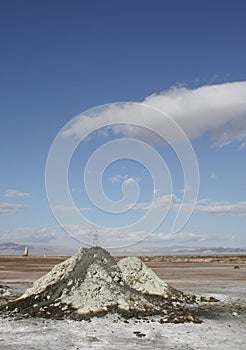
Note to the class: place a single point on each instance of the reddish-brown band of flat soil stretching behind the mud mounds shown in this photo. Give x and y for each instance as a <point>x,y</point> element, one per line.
<point>14,269</point>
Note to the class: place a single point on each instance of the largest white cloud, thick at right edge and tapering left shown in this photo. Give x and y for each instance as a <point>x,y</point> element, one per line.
<point>219,109</point>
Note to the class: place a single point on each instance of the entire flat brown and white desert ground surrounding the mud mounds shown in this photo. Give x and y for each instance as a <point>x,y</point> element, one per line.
<point>223,324</point>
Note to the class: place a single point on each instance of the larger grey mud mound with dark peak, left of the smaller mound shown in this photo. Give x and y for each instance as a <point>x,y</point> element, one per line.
<point>90,283</point>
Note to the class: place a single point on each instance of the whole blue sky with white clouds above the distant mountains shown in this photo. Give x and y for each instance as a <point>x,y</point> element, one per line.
<point>170,78</point>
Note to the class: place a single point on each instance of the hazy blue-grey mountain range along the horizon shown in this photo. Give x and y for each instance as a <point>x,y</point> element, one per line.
<point>18,249</point>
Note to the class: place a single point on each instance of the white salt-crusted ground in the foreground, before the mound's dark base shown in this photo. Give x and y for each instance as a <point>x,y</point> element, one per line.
<point>111,333</point>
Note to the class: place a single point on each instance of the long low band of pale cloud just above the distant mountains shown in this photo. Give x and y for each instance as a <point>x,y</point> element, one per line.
<point>113,238</point>
